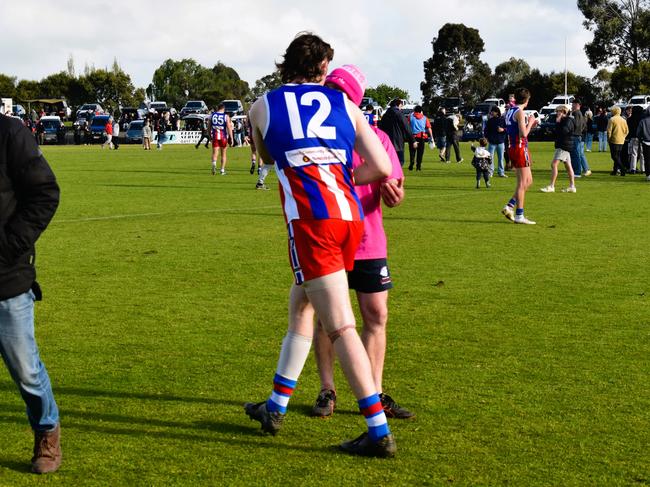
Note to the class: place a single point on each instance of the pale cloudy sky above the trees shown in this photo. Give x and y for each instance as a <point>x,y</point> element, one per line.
<point>389,40</point>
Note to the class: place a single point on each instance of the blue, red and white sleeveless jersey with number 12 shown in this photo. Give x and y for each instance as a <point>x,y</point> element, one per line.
<point>310,134</point>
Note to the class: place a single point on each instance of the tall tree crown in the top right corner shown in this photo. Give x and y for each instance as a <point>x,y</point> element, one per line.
<point>621,31</point>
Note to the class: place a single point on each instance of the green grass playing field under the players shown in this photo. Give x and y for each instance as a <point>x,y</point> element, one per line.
<point>524,350</point>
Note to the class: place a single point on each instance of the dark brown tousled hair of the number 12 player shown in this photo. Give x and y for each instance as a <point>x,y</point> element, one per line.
<point>303,57</point>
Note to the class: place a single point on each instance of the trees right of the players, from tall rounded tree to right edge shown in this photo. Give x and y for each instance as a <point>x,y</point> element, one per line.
<point>620,50</point>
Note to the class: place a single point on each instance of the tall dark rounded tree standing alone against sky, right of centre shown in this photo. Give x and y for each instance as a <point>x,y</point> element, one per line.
<point>455,68</point>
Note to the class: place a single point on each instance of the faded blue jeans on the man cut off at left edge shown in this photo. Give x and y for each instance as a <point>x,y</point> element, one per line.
<point>20,354</point>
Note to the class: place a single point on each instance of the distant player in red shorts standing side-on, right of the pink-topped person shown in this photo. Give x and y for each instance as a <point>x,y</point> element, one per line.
<point>518,126</point>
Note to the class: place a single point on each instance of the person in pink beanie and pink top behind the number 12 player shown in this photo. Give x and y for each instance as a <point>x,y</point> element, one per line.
<point>370,277</point>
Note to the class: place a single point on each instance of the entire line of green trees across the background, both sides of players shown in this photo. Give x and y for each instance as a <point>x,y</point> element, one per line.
<point>620,48</point>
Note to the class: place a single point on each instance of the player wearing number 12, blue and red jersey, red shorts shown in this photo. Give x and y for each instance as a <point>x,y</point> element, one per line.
<point>310,132</point>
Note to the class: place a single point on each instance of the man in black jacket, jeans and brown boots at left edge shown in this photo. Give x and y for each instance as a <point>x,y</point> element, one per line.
<point>29,196</point>
